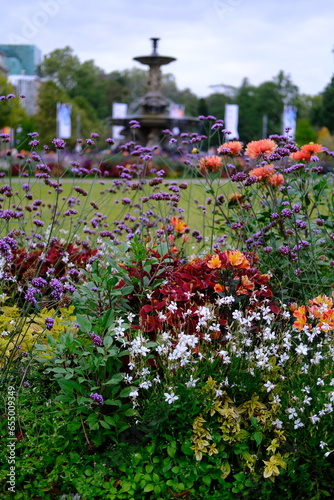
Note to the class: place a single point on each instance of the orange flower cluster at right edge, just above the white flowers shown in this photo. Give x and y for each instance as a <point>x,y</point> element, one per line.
<point>319,309</point>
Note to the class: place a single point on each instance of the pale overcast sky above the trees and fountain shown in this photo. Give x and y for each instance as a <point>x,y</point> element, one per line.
<point>214,41</point>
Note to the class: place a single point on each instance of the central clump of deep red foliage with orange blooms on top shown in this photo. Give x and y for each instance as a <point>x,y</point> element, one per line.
<point>200,283</point>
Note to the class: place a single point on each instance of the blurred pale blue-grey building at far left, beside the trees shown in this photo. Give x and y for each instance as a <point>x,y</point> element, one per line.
<point>22,62</point>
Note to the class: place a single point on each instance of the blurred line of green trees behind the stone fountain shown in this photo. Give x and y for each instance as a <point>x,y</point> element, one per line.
<point>92,91</point>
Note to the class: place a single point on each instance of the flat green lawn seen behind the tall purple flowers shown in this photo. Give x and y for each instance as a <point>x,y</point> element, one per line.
<point>110,205</point>
